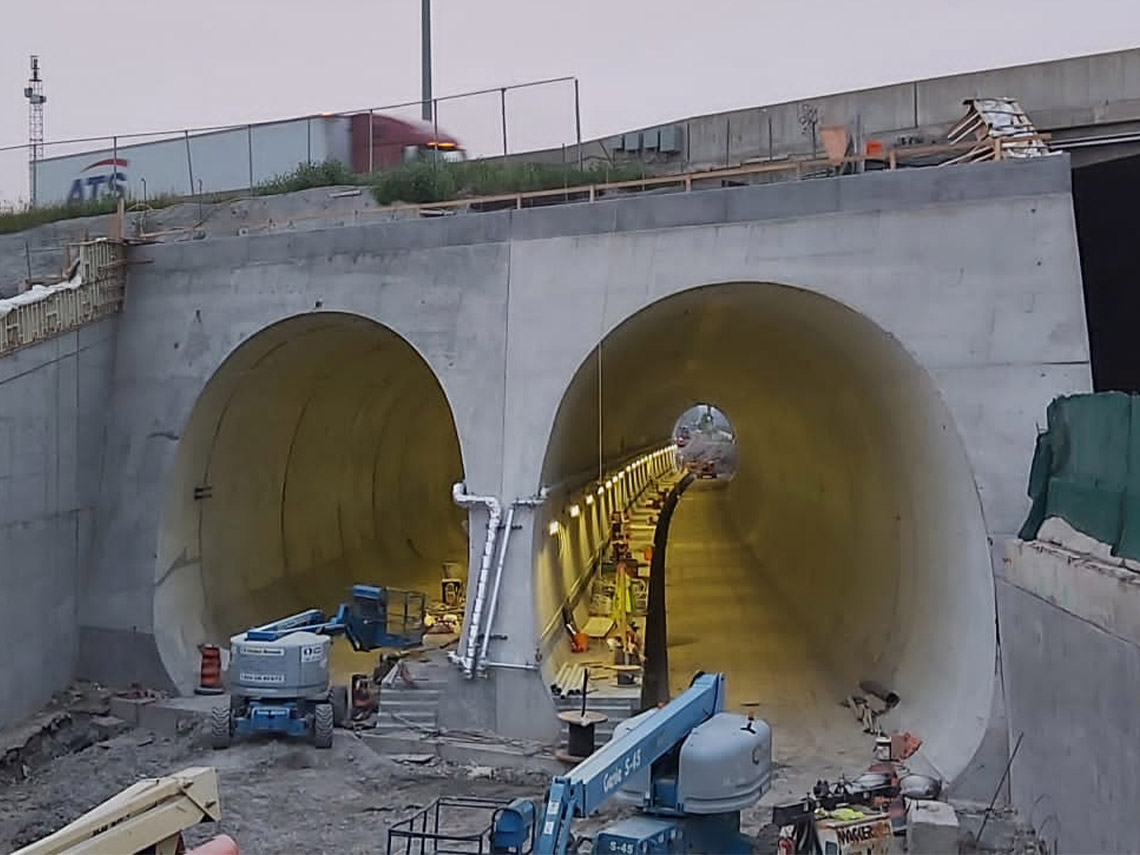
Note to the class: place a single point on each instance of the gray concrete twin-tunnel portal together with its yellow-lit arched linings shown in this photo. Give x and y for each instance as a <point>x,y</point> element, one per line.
<point>938,312</point>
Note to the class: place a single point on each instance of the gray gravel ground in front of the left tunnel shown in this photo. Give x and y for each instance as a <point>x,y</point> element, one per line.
<point>276,796</point>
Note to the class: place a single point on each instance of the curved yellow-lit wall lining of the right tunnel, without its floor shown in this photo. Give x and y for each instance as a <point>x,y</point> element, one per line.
<point>852,491</point>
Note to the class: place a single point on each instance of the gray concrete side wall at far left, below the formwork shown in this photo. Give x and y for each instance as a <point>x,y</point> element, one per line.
<point>53,411</point>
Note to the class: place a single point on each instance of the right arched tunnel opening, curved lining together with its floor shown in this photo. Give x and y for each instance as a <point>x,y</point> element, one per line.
<point>850,544</point>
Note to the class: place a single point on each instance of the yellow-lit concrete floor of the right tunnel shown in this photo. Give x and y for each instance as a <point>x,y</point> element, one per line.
<point>723,617</point>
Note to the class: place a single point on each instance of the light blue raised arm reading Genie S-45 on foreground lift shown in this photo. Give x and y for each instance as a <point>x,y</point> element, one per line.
<point>597,779</point>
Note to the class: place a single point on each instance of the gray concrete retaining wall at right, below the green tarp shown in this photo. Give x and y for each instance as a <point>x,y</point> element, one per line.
<point>1071,654</point>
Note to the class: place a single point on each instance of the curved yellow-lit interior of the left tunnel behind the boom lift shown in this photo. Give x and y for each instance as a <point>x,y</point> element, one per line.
<point>321,454</point>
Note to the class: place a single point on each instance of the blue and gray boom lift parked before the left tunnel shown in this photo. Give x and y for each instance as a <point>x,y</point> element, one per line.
<point>279,677</point>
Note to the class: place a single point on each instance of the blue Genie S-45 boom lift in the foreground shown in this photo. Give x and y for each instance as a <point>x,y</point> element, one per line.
<point>690,768</point>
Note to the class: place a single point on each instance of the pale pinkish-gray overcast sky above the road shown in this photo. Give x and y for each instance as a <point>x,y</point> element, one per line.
<point>144,66</point>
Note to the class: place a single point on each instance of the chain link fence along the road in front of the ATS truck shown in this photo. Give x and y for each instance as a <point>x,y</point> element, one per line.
<point>345,148</point>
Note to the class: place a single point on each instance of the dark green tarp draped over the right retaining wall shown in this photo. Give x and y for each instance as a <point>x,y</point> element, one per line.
<point>1087,470</point>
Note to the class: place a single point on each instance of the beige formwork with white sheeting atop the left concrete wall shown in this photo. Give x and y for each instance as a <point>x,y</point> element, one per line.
<point>94,290</point>
